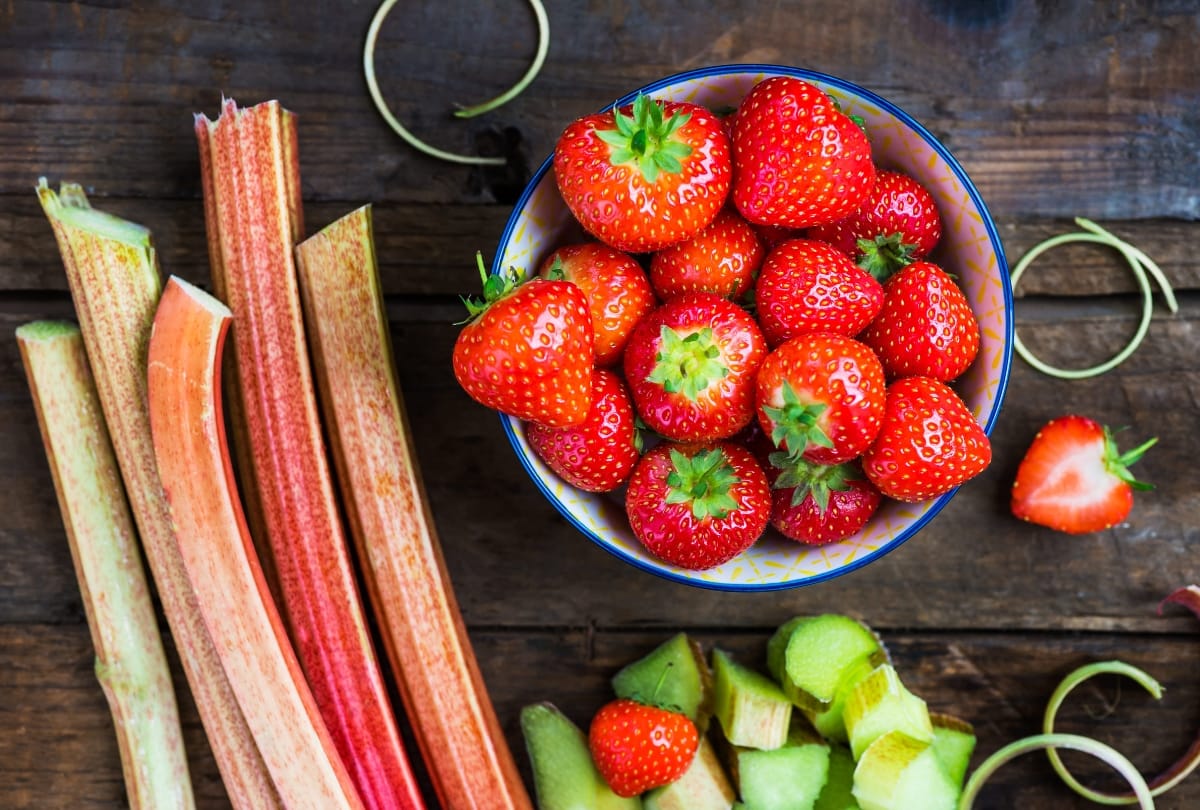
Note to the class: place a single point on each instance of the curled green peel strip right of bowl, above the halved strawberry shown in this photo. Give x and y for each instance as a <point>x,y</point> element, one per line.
<point>1139,263</point>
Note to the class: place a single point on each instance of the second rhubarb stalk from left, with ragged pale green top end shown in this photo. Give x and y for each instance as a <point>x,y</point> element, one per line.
<point>113,274</point>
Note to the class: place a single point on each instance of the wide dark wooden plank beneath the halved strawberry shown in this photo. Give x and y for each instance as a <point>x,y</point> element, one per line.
<point>515,562</point>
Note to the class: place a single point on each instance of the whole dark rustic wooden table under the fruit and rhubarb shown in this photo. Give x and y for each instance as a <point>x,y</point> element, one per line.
<point>1055,110</point>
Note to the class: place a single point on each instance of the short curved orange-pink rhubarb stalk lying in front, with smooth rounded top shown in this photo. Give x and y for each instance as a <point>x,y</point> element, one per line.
<point>188,427</point>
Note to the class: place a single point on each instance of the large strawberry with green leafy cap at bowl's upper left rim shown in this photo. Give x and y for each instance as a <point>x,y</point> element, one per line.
<point>647,176</point>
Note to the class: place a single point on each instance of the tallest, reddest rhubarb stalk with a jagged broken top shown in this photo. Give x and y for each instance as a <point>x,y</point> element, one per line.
<point>251,184</point>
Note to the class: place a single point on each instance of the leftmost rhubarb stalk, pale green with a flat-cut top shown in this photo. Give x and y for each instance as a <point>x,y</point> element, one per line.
<point>131,664</point>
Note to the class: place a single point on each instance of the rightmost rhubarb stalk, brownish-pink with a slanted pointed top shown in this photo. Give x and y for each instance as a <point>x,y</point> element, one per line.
<point>389,517</point>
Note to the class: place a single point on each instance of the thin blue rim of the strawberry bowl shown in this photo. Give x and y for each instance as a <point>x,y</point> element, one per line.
<point>511,424</point>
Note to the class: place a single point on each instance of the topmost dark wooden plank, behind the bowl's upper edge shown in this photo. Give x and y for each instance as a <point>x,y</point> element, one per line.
<point>1054,112</point>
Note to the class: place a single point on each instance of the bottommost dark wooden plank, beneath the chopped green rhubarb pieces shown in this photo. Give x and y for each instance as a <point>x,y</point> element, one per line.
<point>998,682</point>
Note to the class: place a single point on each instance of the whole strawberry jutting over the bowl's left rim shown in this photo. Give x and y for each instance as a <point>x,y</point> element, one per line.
<point>527,350</point>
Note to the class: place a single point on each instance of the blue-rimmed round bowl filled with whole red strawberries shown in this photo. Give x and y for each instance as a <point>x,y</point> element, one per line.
<point>748,328</point>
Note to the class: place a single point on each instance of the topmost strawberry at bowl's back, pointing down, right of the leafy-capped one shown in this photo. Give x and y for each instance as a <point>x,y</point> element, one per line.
<point>799,160</point>
